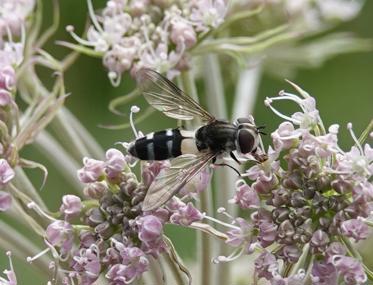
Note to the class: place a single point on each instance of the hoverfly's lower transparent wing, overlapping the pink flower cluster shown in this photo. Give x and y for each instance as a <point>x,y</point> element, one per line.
<point>167,184</point>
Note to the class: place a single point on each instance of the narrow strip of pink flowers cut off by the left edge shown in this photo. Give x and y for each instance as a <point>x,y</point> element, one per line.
<point>12,23</point>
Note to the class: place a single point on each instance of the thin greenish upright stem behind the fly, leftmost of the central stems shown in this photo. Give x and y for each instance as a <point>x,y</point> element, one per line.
<point>204,242</point>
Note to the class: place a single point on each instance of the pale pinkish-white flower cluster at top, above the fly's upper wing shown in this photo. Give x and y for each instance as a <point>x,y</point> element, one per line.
<point>156,34</point>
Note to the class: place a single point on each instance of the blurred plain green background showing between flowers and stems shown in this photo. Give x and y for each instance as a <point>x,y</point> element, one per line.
<point>343,87</point>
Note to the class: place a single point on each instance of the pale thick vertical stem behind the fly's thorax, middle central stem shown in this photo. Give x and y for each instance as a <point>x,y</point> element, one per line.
<point>224,177</point>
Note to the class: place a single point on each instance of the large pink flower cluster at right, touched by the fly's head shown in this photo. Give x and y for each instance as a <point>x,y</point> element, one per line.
<point>310,198</point>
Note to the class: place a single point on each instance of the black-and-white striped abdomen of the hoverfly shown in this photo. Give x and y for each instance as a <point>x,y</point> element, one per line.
<point>163,145</point>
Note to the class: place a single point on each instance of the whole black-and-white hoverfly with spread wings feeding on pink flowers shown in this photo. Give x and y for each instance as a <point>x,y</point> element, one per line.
<point>191,151</point>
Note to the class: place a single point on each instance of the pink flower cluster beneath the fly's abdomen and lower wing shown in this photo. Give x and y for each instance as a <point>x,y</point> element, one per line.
<point>115,236</point>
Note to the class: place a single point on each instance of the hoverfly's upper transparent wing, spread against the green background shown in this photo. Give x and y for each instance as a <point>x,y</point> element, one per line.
<point>166,97</point>
